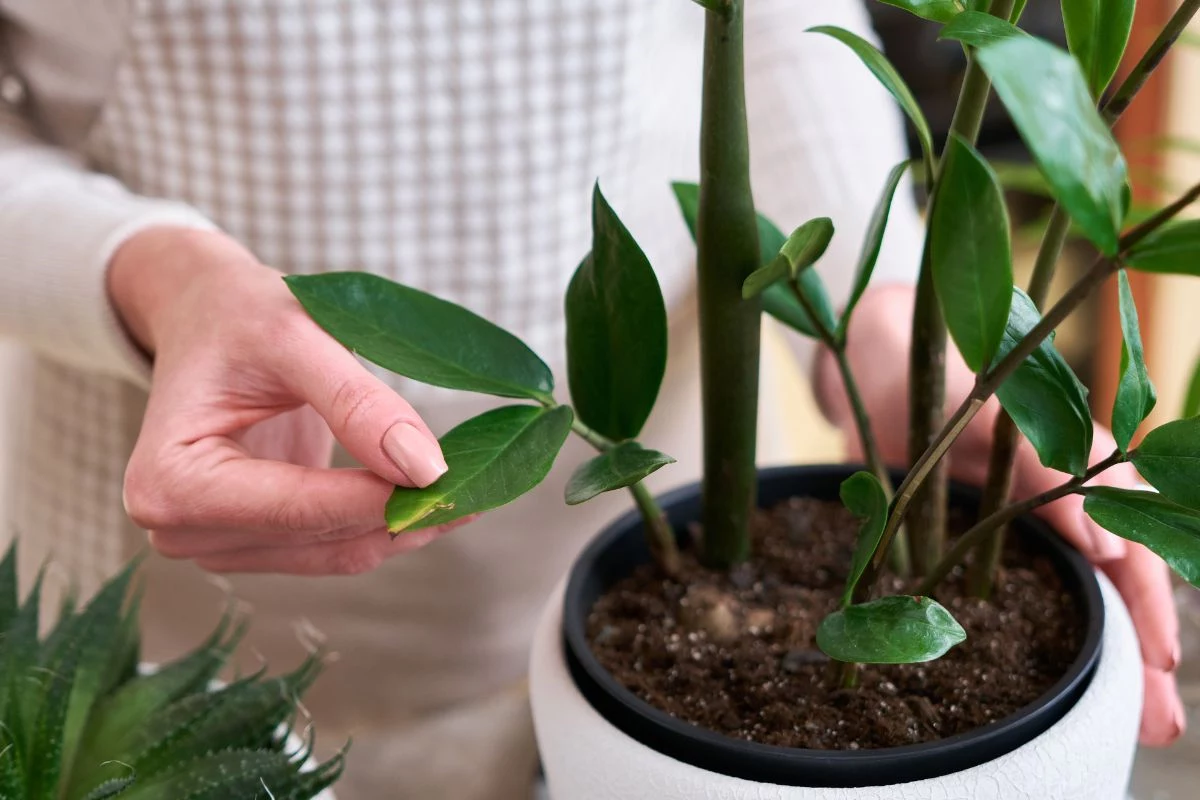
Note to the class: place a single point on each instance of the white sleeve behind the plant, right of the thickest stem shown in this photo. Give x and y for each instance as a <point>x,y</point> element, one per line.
<point>821,121</point>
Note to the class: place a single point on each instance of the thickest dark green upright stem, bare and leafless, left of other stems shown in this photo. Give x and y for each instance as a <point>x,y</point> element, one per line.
<point>728,251</point>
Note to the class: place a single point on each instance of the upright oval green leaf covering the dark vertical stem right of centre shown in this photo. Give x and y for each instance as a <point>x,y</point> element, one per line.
<point>971,254</point>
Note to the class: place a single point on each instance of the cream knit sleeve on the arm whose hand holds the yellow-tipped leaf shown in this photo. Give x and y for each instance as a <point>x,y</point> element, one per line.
<point>59,226</point>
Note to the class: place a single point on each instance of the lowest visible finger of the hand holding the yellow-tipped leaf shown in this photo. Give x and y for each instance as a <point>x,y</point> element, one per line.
<point>356,556</point>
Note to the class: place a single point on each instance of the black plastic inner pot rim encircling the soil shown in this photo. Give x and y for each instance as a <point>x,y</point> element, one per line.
<point>817,768</point>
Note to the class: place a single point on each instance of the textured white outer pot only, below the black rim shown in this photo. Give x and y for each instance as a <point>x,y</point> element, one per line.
<point>1087,756</point>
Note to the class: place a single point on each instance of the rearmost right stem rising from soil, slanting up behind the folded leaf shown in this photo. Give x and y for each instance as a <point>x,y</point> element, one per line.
<point>982,572</point>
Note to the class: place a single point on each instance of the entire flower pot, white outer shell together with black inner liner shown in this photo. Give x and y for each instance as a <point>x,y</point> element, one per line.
<point>599,742</point>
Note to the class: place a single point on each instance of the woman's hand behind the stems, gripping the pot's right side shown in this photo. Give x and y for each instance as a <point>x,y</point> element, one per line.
<point>878,348</point>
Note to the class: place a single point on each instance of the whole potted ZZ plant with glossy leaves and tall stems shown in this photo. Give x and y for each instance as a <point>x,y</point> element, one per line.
<point>1064,105</point>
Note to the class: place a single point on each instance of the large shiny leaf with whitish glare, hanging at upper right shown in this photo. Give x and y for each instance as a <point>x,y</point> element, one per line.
<point>1046,95</point>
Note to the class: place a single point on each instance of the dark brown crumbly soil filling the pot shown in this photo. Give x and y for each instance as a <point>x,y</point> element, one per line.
<point>735,653</point>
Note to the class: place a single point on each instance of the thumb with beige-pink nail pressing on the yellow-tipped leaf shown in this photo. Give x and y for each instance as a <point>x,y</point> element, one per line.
<point>375,424</point>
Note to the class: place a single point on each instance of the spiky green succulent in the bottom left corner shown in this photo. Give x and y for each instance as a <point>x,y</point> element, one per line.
<point>79,721</point>
